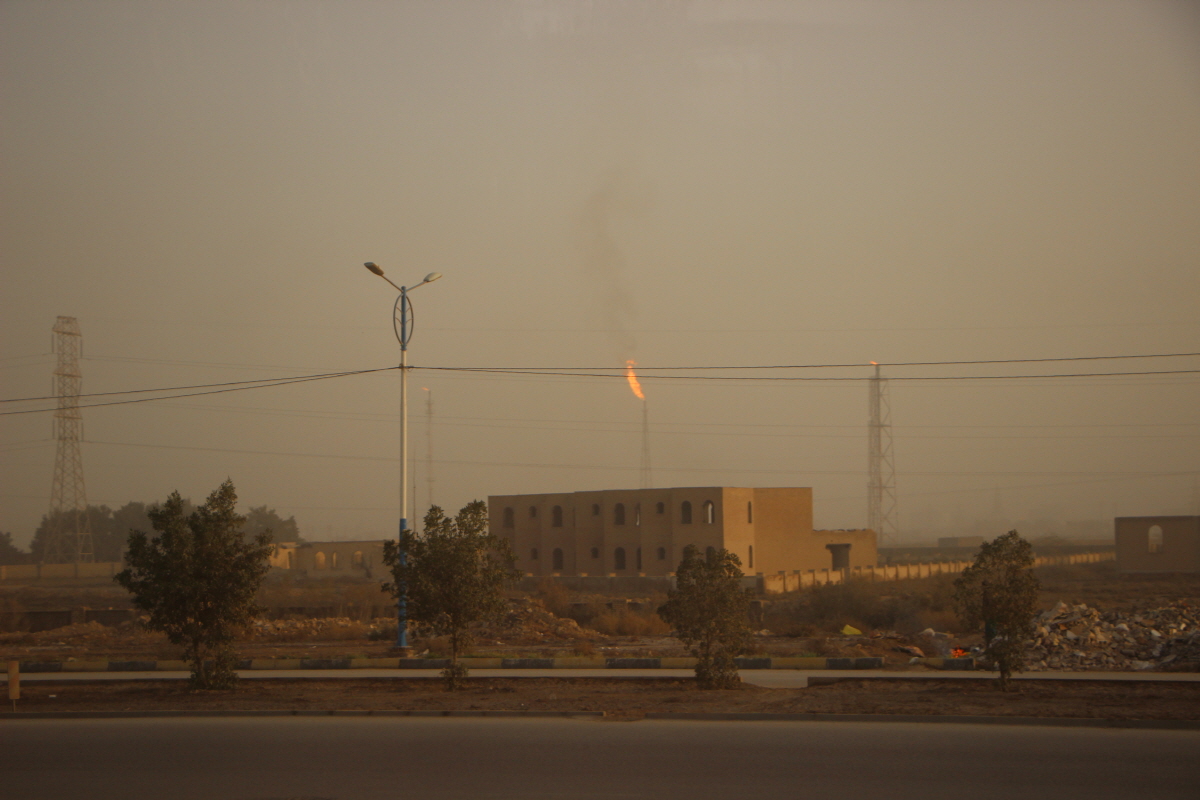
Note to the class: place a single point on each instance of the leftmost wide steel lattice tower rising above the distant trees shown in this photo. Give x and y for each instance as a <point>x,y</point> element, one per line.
<point>69,540</point>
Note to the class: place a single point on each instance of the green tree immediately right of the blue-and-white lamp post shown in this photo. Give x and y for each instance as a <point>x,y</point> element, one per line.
<point>454,575</point>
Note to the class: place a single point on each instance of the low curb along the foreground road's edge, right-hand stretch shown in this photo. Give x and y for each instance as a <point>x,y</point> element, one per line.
<point>1070,723</point>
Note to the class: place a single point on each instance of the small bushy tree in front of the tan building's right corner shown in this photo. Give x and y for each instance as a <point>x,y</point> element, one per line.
<point>709,611</point>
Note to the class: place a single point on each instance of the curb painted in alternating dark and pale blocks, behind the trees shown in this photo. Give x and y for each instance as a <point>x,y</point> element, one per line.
<point>39,667</point>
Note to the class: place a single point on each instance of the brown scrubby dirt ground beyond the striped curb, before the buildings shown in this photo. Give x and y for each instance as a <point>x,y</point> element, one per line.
<point>537,631</point>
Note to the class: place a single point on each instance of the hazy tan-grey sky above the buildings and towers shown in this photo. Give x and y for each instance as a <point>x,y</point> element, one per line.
<point>685,184</point>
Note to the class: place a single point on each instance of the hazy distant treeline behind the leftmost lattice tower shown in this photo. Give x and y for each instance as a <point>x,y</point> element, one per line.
<point>111,531</point>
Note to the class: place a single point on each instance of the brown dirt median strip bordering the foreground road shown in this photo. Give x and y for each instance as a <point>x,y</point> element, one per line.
<point>633,699</point>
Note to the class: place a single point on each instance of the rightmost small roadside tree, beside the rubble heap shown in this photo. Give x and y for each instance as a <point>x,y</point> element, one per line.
<point>999,593</point>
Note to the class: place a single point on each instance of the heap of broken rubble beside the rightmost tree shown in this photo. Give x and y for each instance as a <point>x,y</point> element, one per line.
<point>1079,637</point>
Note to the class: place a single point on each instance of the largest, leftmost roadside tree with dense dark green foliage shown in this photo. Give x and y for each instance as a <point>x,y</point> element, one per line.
<point>197,579</point>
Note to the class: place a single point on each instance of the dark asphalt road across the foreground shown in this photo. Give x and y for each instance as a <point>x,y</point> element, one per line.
<point>433,759</point>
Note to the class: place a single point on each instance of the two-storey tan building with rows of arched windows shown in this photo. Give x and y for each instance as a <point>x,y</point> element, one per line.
<point>645,532</point>
